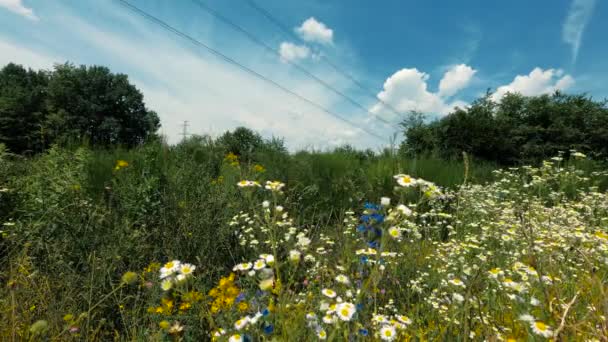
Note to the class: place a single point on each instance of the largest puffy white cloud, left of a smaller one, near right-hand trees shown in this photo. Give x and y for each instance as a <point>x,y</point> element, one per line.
<point>407,90</point>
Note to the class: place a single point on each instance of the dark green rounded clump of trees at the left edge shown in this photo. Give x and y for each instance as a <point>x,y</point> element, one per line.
<point>70,104</point>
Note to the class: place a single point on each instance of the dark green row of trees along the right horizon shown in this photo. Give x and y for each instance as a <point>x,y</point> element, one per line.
<point>516,130</point>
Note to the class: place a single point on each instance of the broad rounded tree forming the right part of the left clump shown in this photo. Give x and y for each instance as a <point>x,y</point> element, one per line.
<point>91,103</point>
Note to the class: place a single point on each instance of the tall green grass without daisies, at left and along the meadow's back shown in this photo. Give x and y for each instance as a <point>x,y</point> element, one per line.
<point>75,220</point>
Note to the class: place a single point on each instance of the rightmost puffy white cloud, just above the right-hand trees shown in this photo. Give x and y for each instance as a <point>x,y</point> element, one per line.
<point>538,82</point>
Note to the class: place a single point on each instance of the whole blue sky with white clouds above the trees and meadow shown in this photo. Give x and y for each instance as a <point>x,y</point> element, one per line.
<point>428,56</point>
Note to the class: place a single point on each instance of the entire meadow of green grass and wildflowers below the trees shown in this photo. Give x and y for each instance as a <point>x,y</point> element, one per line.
<point>193,242</point>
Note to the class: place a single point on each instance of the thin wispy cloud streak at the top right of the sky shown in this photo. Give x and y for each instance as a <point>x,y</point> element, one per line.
<point>578,16</point>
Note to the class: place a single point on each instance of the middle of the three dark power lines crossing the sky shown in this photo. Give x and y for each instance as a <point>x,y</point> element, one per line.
<point>256,40</point>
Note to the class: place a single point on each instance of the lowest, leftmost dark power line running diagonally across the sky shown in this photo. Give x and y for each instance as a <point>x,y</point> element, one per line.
<point>217,53</point>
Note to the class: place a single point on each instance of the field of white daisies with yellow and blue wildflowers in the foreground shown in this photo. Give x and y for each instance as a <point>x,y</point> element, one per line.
<point>523,257</point>
